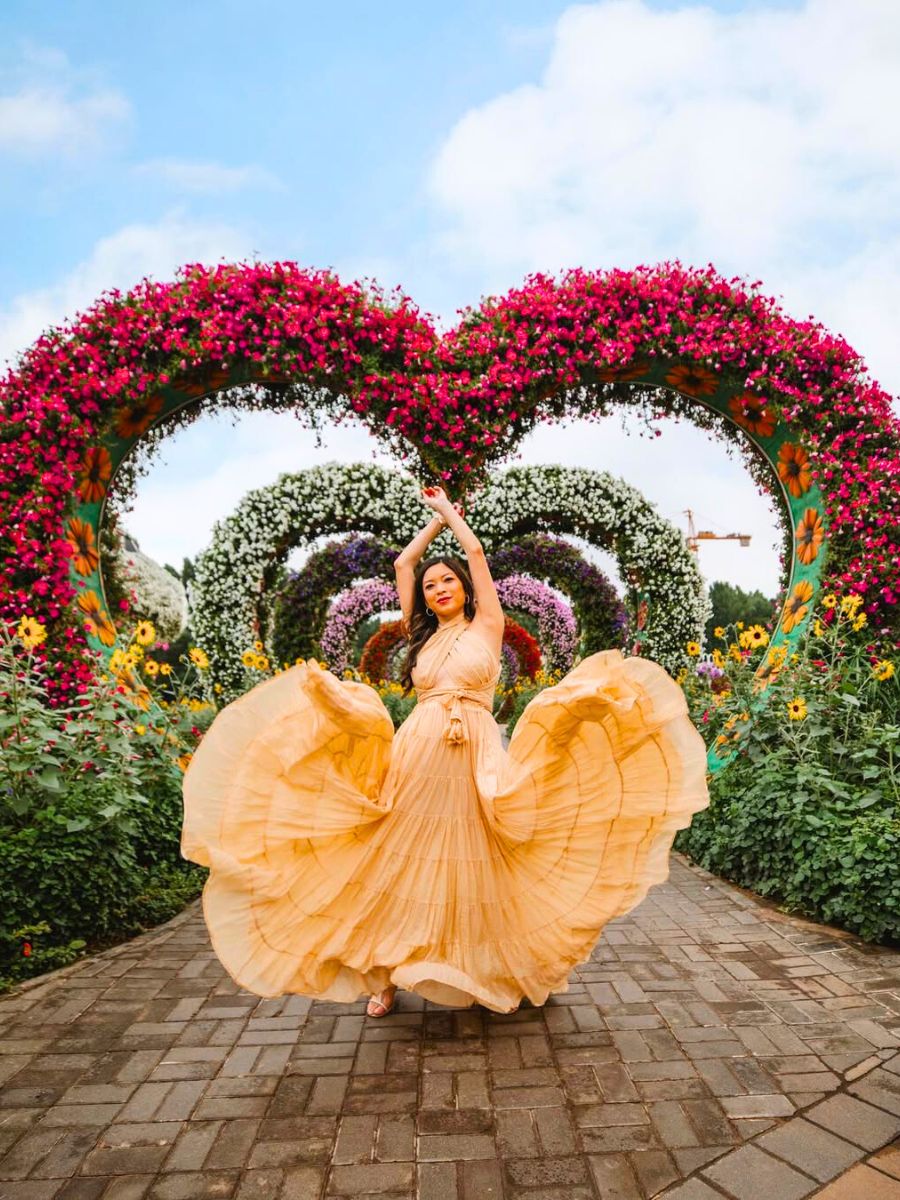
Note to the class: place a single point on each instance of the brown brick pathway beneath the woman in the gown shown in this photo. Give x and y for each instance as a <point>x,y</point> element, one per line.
<point>712,1047</point>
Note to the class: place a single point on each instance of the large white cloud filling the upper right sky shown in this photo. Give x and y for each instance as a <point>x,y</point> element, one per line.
<point>760,141</point>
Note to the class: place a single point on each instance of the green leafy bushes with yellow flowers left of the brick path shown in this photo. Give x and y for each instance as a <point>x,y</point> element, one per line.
<point>91,815</point>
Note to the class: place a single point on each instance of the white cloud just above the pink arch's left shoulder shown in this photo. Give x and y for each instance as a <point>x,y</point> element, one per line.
<point>118,261</point>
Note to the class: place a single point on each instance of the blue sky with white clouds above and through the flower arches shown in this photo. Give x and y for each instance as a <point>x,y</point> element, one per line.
<point>452,151</point>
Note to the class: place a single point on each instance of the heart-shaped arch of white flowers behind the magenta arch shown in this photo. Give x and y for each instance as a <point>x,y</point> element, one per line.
<point>241,566</point>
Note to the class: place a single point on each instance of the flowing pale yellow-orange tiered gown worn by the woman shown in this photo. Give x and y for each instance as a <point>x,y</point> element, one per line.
<point>345,857</point>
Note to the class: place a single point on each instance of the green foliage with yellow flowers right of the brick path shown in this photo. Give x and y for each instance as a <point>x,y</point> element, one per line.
<point>809,812</point>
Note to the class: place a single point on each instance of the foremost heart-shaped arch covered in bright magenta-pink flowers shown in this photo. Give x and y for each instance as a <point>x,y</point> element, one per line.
<point>814,429</point>
